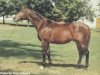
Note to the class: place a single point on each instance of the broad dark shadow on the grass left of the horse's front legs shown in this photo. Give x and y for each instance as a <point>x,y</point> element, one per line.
<point>10,48</point>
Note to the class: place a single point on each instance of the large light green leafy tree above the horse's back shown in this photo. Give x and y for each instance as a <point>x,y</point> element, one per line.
<point>72,10</point>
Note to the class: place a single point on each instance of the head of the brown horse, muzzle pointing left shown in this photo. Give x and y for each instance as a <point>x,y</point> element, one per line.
<point>22,15</point>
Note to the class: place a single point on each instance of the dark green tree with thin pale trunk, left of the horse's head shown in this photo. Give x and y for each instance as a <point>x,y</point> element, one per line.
<point>9,7</point>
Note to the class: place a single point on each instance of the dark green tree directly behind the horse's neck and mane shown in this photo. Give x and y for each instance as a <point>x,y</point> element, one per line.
<point>44,7</point>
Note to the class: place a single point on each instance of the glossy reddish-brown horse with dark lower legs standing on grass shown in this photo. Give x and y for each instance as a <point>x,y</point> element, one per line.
<point>50,31</point>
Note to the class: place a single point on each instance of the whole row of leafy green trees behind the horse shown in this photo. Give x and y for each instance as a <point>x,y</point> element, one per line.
<point>58,10</point>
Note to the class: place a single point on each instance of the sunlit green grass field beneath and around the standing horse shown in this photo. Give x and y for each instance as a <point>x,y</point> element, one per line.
<point>21,53</point>
